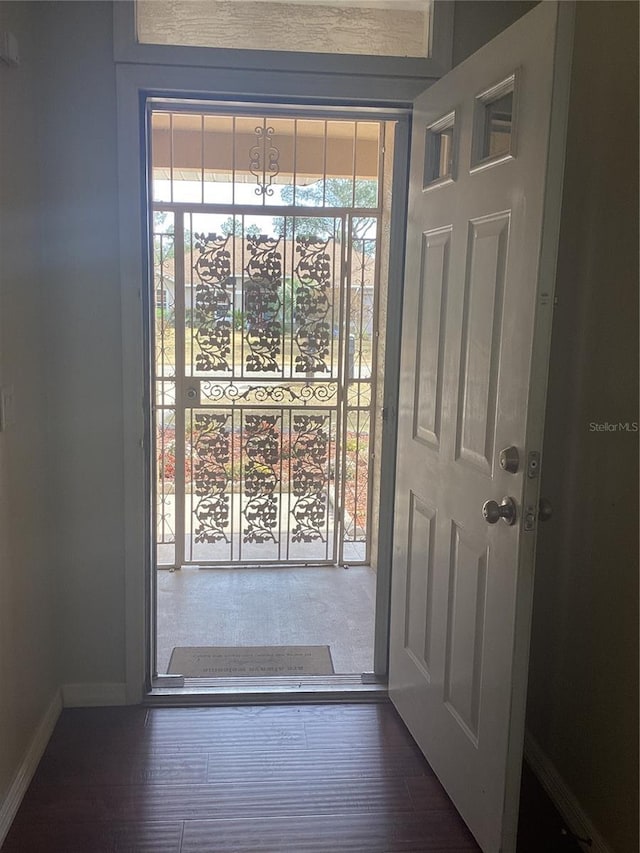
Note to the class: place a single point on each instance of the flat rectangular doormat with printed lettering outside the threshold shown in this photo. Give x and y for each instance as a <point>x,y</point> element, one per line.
<point>232,661</point>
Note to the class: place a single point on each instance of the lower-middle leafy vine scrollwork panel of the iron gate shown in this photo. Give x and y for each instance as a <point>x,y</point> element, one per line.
<point>262,449</point>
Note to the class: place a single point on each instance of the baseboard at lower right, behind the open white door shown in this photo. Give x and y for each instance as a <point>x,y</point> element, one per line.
<point>561,795</point>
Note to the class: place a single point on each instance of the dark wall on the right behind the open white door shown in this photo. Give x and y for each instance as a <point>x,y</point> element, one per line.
<point>583,692</point>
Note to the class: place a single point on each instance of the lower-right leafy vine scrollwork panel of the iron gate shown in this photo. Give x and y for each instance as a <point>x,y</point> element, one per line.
<point>309,450</point>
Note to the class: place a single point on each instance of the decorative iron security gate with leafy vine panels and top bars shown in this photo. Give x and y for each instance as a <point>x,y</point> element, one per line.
<point>264,337</point>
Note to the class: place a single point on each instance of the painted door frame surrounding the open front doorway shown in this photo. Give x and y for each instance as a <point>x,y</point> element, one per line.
<point>135,84</point>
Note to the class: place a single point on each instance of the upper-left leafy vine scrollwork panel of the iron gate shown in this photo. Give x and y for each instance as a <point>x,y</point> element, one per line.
<point>214,295</point>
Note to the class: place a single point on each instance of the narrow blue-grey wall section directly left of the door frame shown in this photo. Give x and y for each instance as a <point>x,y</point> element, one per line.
<point>77,124</point>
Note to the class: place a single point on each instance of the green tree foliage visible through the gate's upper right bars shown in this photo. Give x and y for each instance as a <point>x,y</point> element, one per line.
<point>338,193</point>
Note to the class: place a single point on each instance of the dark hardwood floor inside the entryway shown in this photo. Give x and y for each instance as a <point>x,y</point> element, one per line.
<point>305,778</point>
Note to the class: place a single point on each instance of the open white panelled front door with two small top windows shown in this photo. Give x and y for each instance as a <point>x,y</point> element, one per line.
<point>484,202</point>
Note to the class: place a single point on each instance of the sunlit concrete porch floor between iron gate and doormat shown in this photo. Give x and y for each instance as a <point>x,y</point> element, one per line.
<point>322,605</point>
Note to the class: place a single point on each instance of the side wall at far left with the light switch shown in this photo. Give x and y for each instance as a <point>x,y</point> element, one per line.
<point>29,564</point>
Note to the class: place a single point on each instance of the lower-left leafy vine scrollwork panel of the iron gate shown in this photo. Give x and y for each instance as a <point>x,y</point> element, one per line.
<point>213,451</point>
